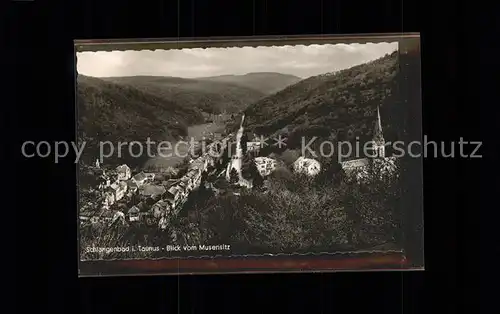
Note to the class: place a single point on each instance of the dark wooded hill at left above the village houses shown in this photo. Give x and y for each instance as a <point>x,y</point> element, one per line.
<point>120,112</point>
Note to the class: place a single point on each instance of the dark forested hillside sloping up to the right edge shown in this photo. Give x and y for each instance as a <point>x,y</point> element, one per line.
<point>337,105</point>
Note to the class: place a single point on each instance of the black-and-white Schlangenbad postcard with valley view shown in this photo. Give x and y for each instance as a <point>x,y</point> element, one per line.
<point>228,155</point>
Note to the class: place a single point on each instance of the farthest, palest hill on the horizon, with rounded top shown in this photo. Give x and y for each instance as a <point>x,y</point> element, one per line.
<point>264,82</point>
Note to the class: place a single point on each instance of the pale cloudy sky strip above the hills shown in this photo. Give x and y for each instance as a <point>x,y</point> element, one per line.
<point>302,61</point>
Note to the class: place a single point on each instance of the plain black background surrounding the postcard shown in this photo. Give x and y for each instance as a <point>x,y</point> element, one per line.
<point>40,106</point>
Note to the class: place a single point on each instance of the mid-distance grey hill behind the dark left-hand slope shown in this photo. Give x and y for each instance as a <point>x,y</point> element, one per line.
<point>206,95</point>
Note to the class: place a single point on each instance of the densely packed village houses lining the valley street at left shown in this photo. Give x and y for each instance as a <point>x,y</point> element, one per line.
<point>147,197</point>
